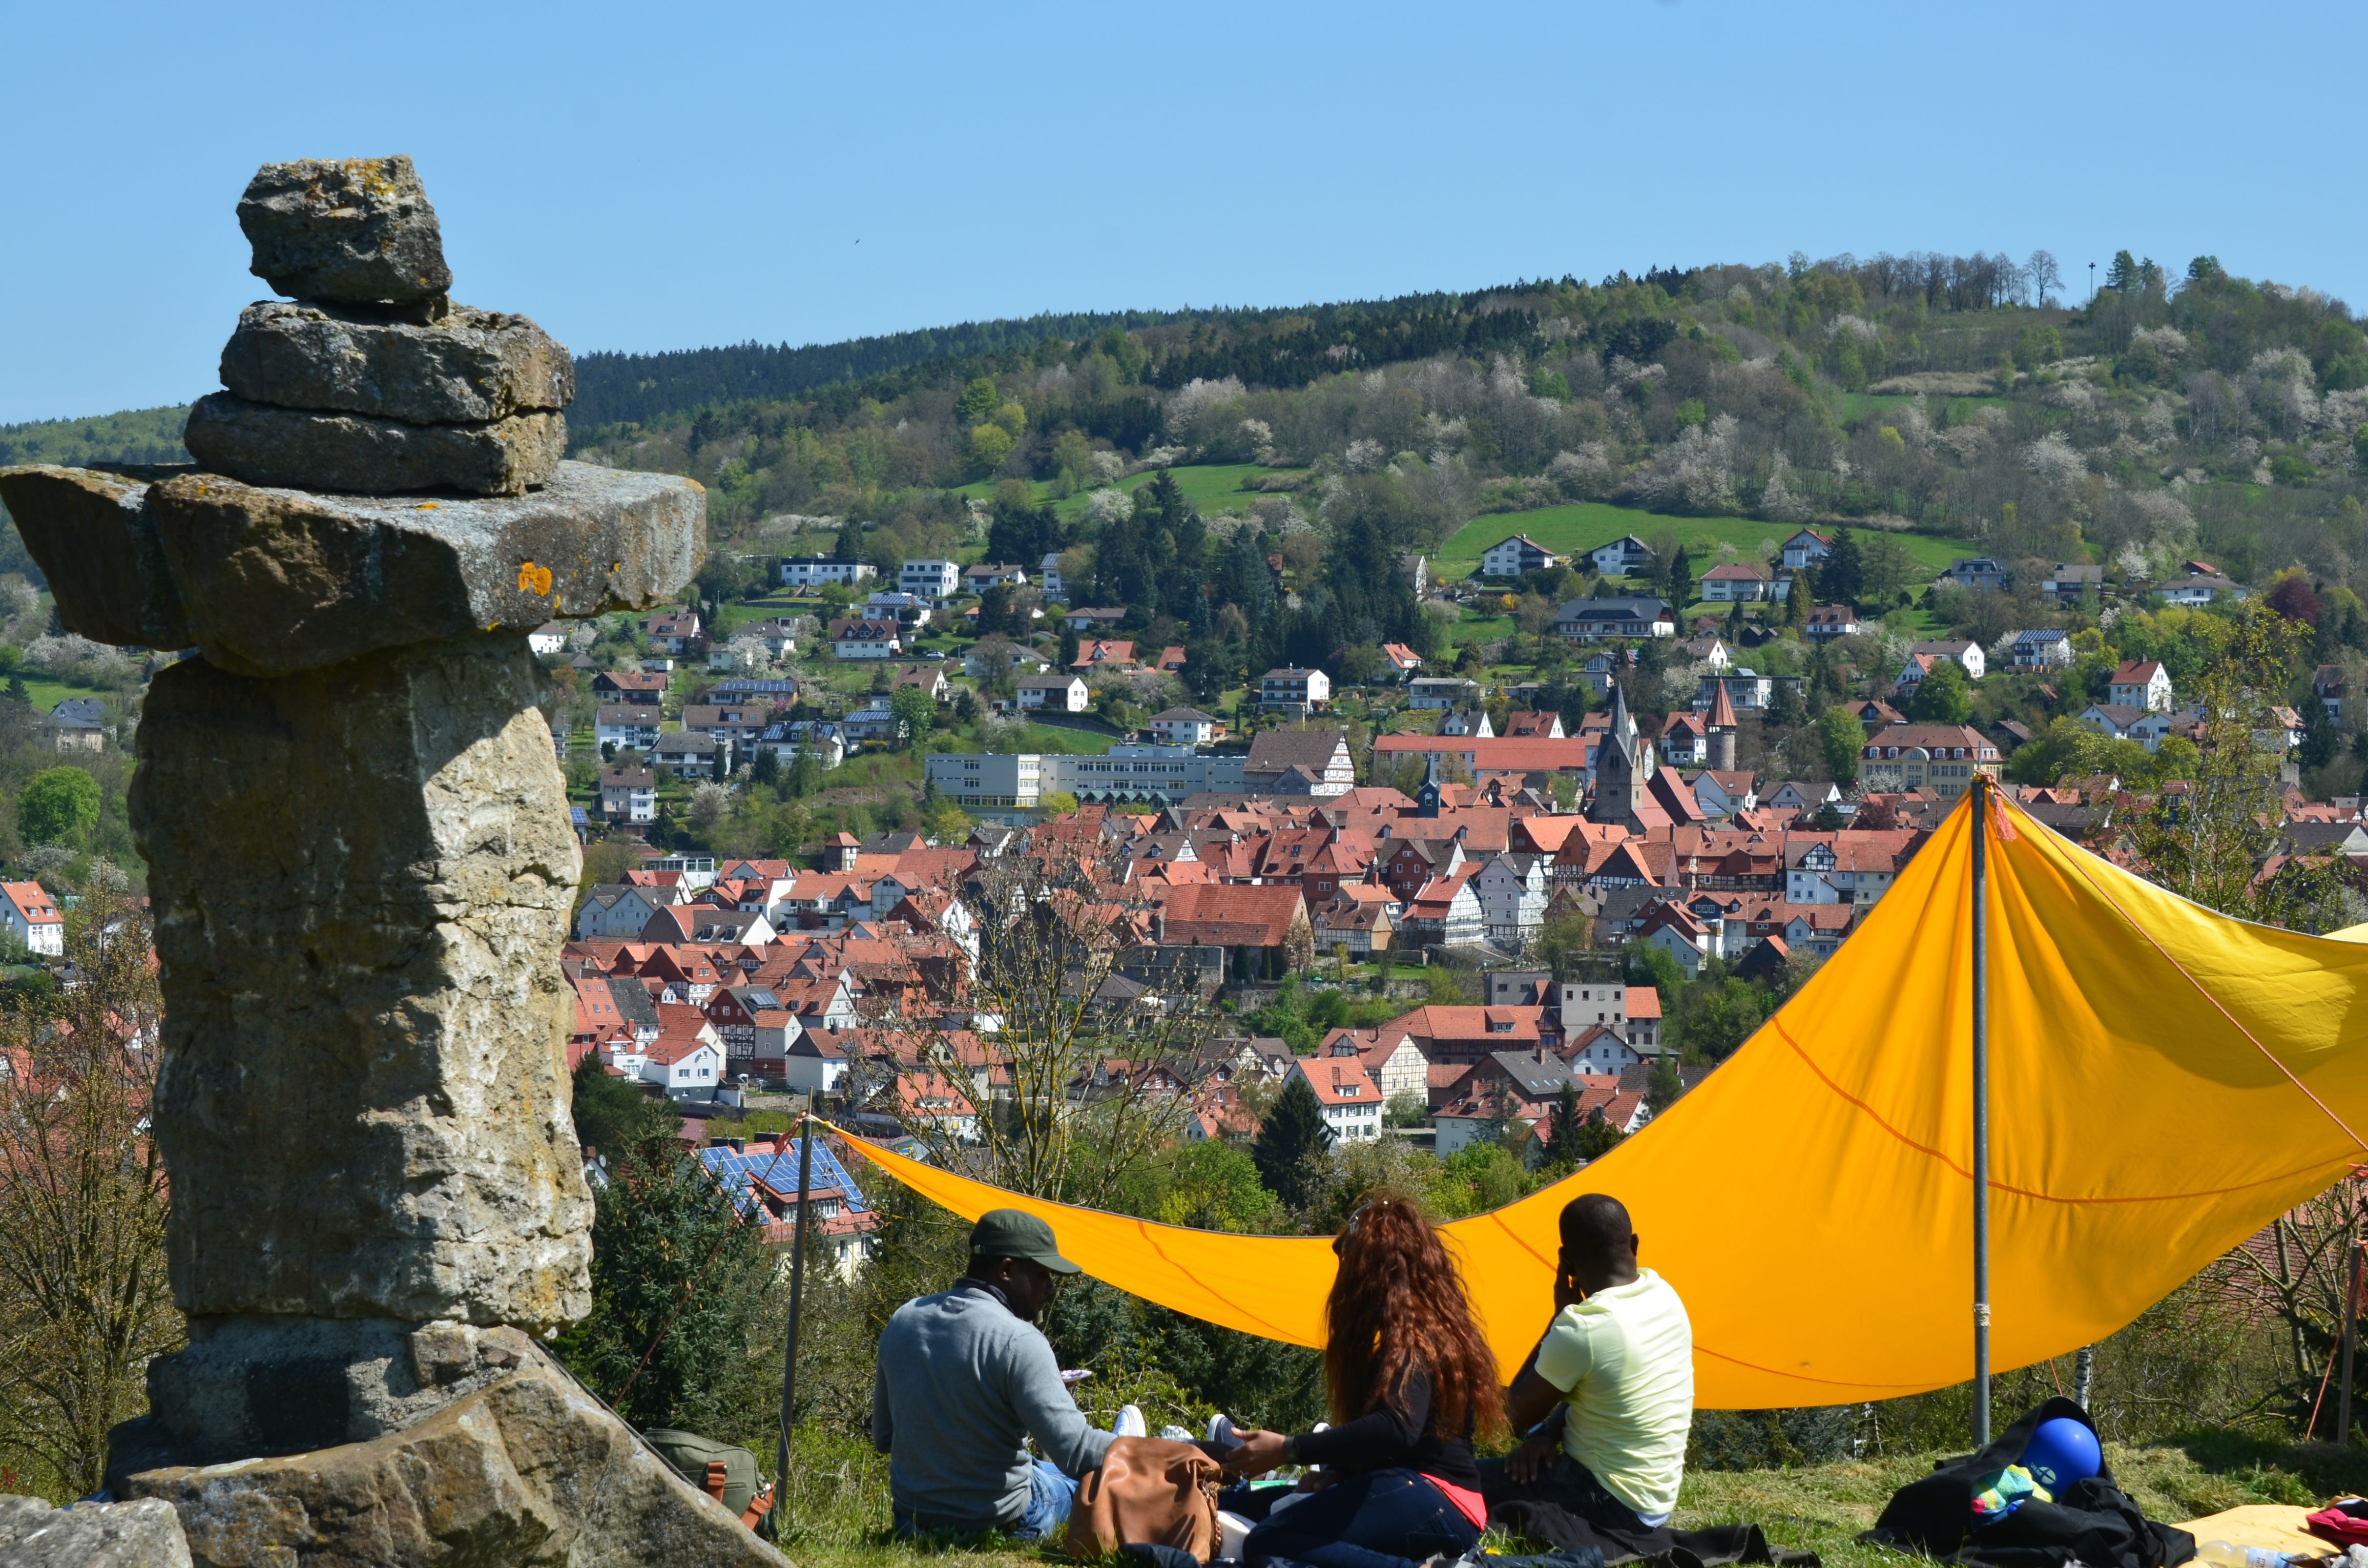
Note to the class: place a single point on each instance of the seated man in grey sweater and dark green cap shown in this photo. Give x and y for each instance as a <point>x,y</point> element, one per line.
<point>965,1377</point>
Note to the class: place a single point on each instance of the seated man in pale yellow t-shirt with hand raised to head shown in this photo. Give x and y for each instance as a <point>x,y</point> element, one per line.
<point>1607,1396</point>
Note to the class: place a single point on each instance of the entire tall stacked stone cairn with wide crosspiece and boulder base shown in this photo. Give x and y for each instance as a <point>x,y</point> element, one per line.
<point>361,873</point>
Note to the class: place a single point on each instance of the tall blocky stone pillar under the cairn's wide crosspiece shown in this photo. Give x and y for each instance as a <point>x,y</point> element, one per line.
<point>361,882</point>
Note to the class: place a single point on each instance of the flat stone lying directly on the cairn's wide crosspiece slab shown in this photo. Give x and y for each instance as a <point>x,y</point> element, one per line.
<point>285,446</point>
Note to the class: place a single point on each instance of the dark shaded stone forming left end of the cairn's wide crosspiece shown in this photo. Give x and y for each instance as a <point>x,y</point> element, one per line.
<point>96,541</point>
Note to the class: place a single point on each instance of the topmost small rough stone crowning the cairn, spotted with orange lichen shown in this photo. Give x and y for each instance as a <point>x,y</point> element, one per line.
<point>347,231</point>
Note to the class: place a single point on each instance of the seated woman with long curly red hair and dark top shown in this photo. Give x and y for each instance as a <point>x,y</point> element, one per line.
<point>1410,1382</point>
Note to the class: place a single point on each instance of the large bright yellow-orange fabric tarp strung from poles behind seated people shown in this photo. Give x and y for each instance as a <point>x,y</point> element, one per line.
<point>2163,1084</point>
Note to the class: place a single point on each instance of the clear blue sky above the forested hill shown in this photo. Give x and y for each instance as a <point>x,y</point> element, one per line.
<point>695,174</point>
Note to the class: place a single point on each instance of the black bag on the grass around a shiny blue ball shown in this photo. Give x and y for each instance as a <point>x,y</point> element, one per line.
<point>2090,1522</point>
